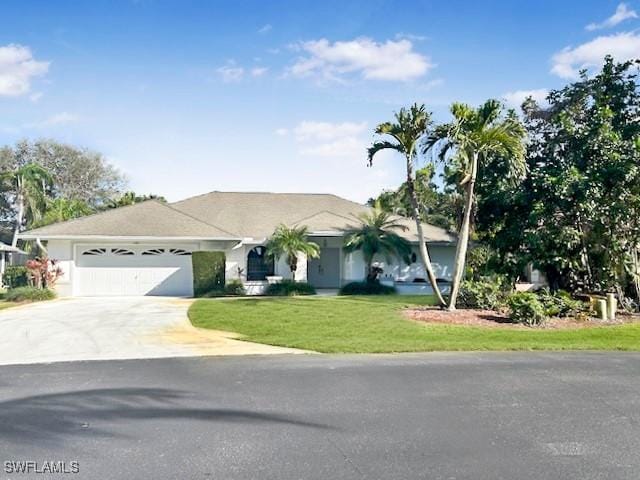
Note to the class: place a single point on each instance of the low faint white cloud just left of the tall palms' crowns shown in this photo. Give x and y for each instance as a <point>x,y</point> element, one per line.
<point>325,139</point>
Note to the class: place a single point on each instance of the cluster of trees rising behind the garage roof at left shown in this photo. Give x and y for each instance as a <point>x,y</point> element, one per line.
<point>43,182</point>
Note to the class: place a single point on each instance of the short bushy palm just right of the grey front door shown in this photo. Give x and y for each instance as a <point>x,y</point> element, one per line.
<point>375,236</point>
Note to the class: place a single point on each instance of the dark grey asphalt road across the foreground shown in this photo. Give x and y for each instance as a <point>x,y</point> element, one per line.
<point>475,416</point>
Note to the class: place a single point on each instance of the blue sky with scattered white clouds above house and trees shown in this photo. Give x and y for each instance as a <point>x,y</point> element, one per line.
<point>188,97</point>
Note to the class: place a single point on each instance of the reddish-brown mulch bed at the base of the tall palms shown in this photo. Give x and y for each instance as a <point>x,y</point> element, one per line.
<point>491,319</point>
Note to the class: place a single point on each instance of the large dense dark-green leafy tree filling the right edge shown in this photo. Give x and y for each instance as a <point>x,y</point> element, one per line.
<point>576,215</point>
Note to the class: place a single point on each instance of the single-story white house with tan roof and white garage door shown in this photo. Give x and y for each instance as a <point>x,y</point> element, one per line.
<point>144,249</point>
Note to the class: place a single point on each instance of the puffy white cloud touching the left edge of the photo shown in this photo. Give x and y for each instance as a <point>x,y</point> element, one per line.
<point>17,68</point>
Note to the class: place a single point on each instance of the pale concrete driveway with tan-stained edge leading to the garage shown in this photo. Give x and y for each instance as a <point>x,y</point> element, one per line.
<point>111,328</point>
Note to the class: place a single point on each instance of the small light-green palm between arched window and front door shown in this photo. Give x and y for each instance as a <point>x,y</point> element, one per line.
<point>291,242</point>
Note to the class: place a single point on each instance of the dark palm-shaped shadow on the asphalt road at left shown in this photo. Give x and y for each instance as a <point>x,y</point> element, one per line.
<point>49,419</point>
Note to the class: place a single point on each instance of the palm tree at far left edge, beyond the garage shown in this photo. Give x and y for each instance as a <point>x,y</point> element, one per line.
<point>29,185</point>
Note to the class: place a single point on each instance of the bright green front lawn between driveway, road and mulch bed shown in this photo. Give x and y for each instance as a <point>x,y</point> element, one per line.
<point>374,324</point>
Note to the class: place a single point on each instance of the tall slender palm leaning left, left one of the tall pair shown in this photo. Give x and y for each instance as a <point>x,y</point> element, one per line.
<point>407,132</point>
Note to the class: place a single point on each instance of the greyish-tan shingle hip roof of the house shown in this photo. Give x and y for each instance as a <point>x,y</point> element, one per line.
<point>232,215</point>
